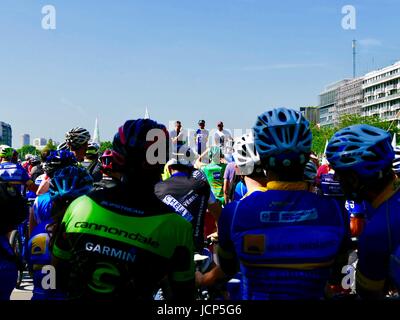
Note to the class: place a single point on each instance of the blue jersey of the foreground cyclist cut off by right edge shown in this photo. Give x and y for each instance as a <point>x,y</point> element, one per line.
<point>380,240</point>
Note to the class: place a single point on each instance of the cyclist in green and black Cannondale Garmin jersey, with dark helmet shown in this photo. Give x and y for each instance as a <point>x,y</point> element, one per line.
<point>120,242</point>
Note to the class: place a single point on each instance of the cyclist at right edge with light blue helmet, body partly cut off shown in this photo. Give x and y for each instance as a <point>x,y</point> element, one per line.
<point>362,157</point>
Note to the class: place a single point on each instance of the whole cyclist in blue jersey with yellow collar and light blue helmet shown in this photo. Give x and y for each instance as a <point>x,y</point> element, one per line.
<point>286,238</point>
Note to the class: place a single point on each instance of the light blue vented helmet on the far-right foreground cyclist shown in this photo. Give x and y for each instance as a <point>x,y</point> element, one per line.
<point>365,149</point>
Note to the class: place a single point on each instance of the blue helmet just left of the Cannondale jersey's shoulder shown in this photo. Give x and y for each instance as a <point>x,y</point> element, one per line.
<point>69,183</point>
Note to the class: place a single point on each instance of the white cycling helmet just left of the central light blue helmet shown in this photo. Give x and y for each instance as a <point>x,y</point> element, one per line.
<point>245,155</point>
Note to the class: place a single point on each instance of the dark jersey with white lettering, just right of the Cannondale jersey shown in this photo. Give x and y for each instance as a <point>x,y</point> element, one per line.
<point>188,196</point>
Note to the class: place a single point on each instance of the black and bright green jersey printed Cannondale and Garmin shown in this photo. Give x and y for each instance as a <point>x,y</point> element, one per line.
<point>119,243</point>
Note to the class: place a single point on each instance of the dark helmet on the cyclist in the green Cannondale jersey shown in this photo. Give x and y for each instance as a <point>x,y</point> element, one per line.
<point>135,137</point>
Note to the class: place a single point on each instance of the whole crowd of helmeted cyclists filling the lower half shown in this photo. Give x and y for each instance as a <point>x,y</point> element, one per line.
<point>284,222</point>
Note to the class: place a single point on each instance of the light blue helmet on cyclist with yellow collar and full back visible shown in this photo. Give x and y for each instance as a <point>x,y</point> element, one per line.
<point>283,138</point>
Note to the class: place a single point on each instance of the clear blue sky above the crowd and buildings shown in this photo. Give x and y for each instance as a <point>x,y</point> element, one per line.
<point>214,59</point>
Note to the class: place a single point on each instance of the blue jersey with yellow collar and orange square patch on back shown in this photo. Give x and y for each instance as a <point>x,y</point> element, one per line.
<point>286,240</point>
